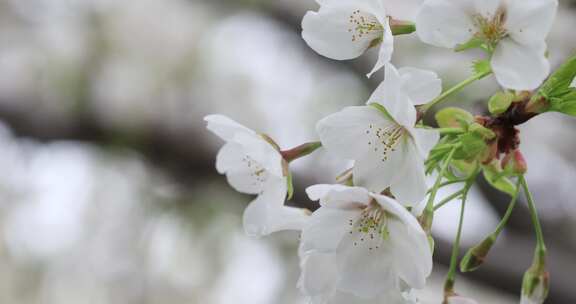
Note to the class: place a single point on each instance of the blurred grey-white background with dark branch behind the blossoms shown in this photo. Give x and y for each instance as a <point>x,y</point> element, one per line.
<point>108,188</point>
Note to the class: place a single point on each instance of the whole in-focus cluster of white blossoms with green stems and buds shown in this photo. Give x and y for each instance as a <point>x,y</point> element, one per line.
<point>369,241</point>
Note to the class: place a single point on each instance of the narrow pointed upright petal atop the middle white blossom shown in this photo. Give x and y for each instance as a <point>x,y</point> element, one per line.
<point>391,96</point>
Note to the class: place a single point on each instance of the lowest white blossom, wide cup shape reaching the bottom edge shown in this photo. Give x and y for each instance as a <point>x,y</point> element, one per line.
<point>377,247</point>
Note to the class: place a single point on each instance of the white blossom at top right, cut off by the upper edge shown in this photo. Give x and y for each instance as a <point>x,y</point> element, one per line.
<point>515,30</point>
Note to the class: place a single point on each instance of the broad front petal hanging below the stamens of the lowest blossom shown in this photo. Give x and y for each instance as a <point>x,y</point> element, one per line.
<point>364,269</point>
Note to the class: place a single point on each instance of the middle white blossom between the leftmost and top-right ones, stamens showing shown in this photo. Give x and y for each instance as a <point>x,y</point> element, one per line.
<point>387,148</point>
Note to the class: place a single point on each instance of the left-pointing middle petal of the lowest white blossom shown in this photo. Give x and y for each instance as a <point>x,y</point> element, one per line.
<point>326,228</point>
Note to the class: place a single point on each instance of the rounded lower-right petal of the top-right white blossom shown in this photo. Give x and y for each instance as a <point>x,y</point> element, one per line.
<point>520,67</point>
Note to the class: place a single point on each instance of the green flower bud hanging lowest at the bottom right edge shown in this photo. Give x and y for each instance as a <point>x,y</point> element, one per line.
<point>535,286</point>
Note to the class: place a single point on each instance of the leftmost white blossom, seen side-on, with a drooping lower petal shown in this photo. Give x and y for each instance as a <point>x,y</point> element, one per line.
<point>254,166</point>
